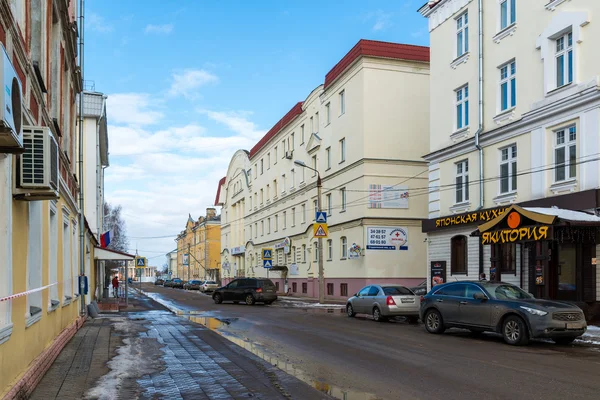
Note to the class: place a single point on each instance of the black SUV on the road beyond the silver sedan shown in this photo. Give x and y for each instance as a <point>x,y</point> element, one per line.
<point>249,290</point>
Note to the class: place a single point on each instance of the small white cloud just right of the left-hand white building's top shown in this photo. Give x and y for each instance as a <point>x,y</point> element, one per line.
<point>133,109</point>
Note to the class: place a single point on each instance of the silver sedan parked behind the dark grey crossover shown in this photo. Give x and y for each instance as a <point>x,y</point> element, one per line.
<point>383,302</point>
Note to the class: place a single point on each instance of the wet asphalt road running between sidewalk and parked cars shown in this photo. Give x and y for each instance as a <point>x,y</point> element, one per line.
<point>357,358</point>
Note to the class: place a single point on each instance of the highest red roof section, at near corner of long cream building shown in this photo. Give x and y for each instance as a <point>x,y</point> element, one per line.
<point>372,48</point>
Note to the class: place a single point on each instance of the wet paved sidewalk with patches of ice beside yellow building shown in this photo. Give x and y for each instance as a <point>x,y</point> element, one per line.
<point>154,354</point>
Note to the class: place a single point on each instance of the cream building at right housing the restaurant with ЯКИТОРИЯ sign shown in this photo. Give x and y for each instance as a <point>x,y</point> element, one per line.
<point>515,118</point>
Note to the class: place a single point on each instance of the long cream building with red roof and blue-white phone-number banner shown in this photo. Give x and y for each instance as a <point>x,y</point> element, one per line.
<point>363,130</point>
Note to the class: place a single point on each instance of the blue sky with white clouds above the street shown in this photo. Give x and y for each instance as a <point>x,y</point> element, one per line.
<point>189,82</point>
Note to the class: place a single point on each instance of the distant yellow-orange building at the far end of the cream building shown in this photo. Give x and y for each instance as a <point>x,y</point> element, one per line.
<point>202,241</point>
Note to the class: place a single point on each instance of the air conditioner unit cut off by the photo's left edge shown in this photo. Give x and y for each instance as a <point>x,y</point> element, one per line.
<point>11,117</point>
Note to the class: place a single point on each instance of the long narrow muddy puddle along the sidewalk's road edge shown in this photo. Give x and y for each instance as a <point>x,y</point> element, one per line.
<point>215,324</point>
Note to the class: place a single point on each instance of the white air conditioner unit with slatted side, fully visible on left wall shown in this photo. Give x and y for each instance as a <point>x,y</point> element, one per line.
<point>37,168</point>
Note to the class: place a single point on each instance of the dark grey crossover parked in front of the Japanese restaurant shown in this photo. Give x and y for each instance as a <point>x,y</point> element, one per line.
<point>503,308</point>
